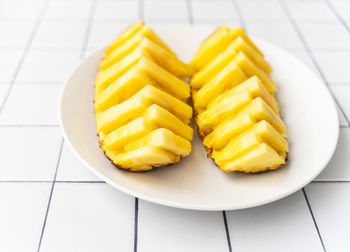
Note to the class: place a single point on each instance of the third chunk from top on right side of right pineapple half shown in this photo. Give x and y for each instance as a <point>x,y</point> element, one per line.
<point>250,69</point>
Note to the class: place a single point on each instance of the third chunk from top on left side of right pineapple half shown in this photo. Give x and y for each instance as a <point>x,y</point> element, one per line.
<point>229,77</point>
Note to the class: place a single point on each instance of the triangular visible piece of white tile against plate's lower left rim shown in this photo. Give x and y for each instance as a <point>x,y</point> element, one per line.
<point>72,169</point>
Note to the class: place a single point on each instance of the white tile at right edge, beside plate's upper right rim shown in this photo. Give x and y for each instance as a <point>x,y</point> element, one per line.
<point>334,65</point>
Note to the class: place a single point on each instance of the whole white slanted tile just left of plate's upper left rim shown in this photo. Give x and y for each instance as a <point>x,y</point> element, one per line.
<point>47,66</point>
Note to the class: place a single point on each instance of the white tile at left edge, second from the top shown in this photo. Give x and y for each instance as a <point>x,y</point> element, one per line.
<point>14,33</point>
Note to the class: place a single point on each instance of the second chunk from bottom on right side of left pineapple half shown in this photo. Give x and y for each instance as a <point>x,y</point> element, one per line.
<point>162,118</point>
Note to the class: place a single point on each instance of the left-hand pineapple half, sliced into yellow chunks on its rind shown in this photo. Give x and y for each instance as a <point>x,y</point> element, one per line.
<point>140,102</point>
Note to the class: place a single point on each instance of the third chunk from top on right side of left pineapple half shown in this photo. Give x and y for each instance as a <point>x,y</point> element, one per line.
<point>163,78</point>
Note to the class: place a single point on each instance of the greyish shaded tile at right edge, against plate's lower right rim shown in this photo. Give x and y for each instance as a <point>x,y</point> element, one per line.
<point>338,167</point>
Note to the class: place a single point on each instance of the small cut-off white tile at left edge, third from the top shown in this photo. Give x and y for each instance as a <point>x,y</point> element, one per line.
<point>9,61</point>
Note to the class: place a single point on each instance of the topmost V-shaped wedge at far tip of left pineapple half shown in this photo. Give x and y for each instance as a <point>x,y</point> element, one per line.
<point>139,29</point>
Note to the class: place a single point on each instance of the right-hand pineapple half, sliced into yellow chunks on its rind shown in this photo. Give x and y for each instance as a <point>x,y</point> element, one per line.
<point>235,107</point>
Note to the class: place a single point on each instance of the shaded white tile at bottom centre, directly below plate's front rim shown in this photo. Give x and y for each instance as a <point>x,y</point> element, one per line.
<point>169,229</point>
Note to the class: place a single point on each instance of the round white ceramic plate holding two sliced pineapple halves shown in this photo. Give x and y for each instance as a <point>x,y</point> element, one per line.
<point>196,183</point>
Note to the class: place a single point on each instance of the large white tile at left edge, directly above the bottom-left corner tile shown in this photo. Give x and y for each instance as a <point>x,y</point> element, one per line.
<point>29,153</point>
